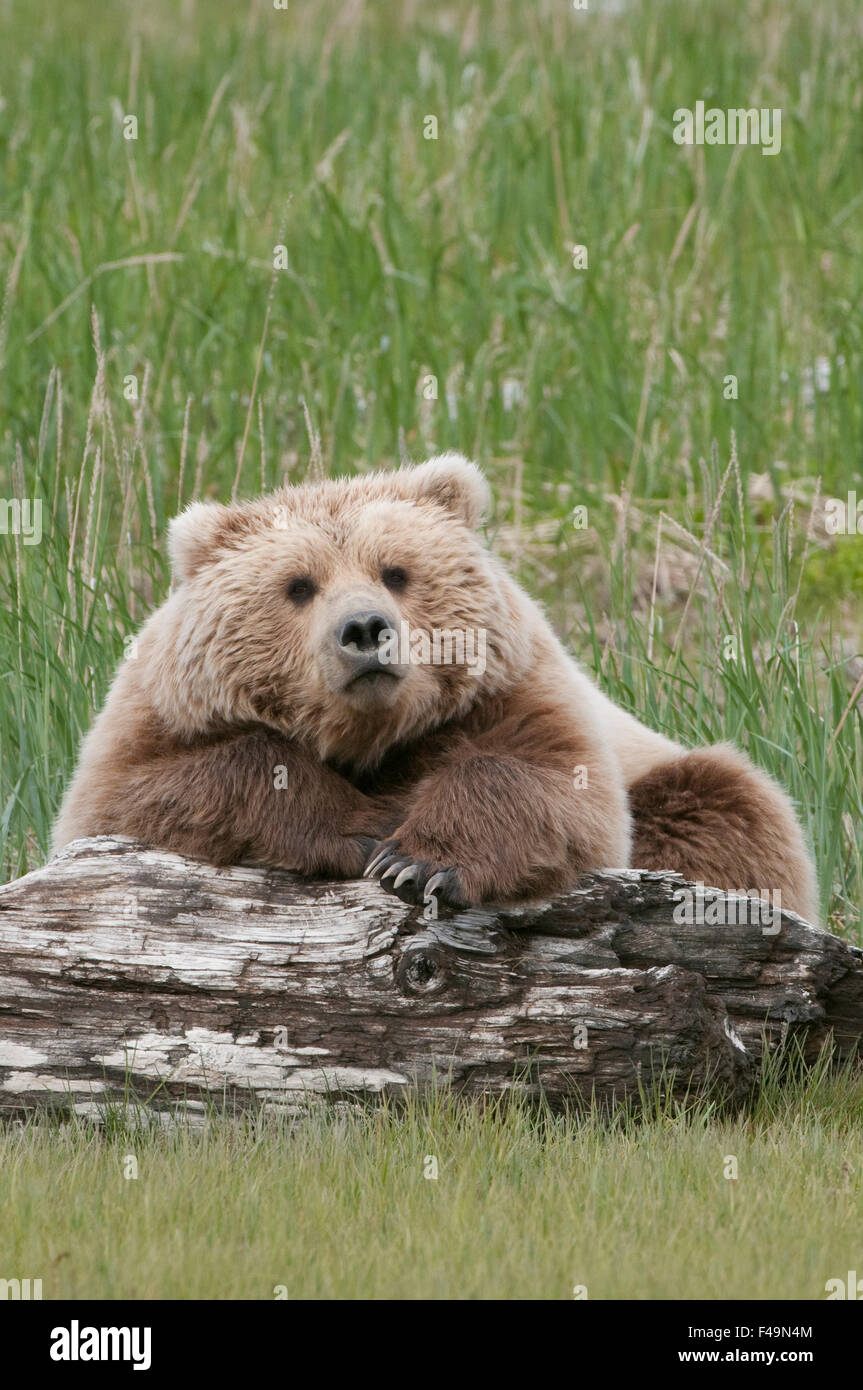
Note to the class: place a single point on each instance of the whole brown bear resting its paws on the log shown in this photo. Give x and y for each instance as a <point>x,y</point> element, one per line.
<point>345,680</point>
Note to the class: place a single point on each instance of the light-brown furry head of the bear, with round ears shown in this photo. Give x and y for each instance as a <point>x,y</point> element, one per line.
<point>351,615</point>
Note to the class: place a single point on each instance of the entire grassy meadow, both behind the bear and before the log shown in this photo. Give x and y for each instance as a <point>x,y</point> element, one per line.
<point>243,245</point>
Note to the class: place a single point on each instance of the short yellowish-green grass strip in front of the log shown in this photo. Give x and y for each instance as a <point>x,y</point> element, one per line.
<point>341,1207</point>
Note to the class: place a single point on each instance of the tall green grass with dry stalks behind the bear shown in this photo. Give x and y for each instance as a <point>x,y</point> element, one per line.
<point>409,258</point>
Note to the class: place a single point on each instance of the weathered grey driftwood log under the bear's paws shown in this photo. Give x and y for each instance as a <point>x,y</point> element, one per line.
<point>127,974</point>
